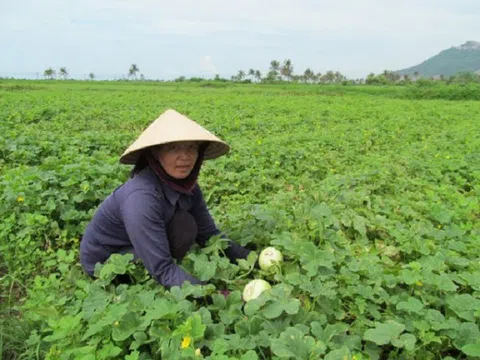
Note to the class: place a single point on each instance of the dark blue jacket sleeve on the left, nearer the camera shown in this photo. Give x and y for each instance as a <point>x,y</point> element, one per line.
<point>143,219</point>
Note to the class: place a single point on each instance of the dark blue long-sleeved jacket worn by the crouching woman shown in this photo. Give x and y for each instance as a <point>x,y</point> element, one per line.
<point>133,219</point>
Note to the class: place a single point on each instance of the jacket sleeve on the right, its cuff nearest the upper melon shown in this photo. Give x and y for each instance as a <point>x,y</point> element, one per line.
<point>207,228</point>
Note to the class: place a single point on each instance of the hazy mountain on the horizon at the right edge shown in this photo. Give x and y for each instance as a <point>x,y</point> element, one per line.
<point>463,58</point>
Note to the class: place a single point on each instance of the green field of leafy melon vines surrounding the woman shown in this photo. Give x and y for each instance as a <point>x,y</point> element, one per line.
<point>372,198</point>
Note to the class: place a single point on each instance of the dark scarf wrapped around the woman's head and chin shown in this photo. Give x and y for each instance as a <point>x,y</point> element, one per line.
<point>184,186</point>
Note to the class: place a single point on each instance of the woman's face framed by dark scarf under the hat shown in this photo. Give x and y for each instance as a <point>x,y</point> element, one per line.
<point>178,158</point>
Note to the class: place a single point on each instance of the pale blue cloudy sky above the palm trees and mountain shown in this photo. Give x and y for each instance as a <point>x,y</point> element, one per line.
<point>167,39</point>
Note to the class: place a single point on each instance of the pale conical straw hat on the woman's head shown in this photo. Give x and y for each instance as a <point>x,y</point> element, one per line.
<point>172,126</point>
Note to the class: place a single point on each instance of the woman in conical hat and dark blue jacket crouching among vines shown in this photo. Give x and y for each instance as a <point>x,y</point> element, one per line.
<point>160,212</point>
